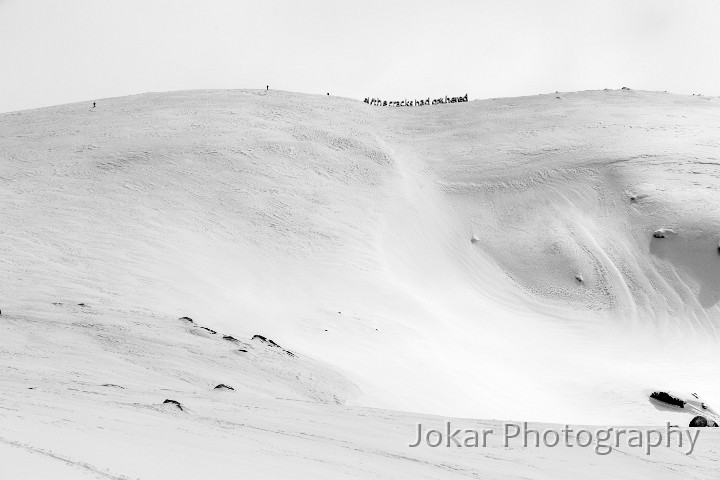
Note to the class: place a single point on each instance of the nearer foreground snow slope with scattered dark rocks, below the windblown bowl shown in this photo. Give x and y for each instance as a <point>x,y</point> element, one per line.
<point>83,398</point>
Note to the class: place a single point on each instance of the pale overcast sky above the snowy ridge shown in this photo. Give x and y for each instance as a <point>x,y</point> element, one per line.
<point>61,51</point>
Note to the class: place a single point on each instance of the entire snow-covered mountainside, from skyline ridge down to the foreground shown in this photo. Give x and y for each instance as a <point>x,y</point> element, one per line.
<point>492,259</point>
